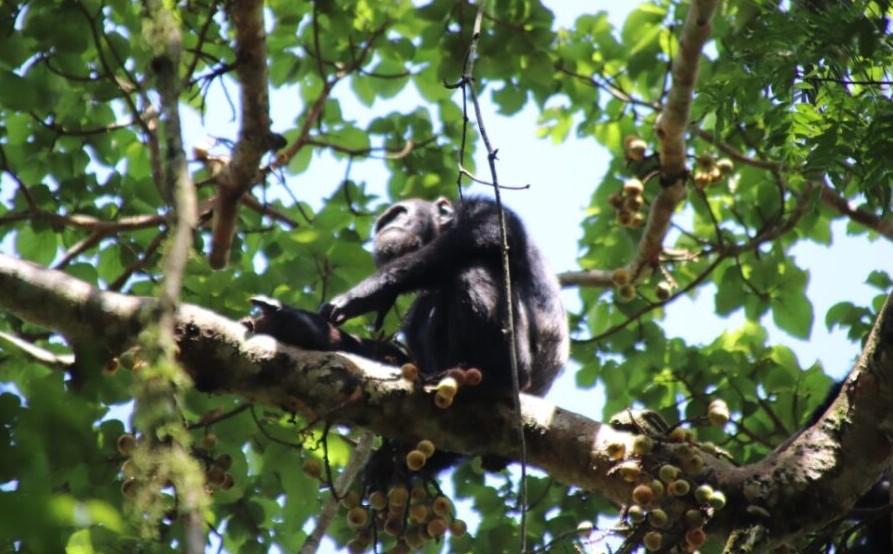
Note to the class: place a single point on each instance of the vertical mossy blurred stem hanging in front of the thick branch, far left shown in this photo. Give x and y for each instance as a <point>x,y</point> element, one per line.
<point>156,391</point>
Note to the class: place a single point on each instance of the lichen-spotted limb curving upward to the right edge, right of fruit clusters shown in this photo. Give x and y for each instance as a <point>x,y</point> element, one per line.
<point>829,465</point>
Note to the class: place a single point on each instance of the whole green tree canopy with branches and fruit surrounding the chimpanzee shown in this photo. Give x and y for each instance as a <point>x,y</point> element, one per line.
<point>136,414</point>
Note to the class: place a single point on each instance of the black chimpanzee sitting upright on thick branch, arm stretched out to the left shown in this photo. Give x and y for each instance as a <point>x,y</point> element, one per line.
<point>452,256</point>
